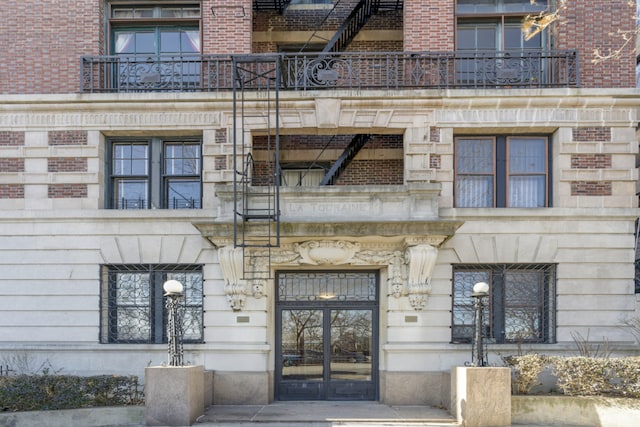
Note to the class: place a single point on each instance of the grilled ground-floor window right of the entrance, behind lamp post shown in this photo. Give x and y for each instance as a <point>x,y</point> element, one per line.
<point>520,306</point>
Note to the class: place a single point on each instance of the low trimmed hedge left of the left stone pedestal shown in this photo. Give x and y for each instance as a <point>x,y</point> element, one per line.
<point>46,392</point>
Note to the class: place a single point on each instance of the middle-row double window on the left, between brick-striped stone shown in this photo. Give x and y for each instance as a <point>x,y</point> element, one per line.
<point>155,173</point>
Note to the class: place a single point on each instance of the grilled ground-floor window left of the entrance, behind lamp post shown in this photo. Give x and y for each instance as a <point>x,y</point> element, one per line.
<point>133,306</point>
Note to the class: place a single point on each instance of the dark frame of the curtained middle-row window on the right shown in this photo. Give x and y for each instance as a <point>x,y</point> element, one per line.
<point>501,168</point>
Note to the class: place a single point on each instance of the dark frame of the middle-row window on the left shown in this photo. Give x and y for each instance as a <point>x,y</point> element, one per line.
<point>157,179</point>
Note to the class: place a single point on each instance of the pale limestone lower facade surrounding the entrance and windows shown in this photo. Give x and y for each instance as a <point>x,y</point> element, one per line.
<point>52,247</point>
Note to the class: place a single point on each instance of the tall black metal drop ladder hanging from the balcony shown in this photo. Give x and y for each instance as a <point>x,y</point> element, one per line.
<point>256,181</point>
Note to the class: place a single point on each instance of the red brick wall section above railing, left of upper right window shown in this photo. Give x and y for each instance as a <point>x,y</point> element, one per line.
<point>429,25</point>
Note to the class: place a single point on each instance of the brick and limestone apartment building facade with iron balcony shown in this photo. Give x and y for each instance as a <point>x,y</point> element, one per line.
<point>328,191</point>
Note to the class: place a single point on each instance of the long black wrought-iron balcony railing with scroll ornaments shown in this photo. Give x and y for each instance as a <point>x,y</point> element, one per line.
<point>347,70</point>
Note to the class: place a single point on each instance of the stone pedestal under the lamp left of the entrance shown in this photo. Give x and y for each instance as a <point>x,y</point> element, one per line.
<point>174,395</point>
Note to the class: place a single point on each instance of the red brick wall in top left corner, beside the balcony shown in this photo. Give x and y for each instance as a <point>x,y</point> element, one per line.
<point>42,42</point>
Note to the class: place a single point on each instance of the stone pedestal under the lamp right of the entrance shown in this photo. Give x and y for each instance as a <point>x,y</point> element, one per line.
<point>481,396</point>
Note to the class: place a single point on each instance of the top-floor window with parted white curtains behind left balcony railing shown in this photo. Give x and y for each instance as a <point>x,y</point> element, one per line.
<point>158,47</point>
